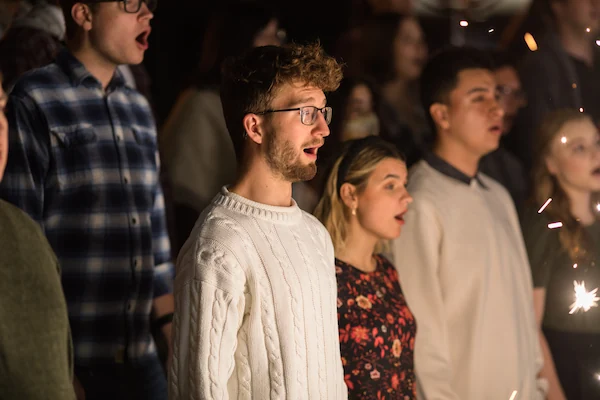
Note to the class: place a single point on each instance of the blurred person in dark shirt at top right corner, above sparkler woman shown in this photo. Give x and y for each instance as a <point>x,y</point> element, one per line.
<point>564,72</point>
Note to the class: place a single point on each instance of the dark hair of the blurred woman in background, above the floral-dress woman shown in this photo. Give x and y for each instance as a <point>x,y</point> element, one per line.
<point>375,53</point>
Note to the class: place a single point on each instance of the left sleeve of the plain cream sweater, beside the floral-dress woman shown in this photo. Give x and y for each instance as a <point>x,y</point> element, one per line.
<point>417,257</point>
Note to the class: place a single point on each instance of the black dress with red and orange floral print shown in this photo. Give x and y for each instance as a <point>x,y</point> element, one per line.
<point>377,333</point>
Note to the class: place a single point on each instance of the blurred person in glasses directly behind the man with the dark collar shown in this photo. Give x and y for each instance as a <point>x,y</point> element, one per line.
<point>502,164</point>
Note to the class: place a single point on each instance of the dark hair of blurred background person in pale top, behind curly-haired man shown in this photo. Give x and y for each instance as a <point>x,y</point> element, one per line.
<point>230,32</point>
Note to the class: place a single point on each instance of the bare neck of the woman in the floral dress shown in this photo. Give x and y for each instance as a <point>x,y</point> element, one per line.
<point>358,249</point>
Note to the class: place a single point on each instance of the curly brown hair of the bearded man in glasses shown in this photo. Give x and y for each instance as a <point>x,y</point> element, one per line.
<point>250,82</point>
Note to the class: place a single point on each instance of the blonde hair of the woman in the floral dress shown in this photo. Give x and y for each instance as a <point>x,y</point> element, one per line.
<point>363,157</point>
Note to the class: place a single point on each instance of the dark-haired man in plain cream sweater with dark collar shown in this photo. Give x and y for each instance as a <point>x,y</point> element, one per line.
<point>461,258</point>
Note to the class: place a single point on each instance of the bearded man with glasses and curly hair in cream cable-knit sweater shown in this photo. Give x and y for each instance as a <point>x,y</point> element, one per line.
<point>255,291</point>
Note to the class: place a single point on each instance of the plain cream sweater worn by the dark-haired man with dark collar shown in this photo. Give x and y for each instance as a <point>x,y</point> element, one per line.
<point>466,277</point>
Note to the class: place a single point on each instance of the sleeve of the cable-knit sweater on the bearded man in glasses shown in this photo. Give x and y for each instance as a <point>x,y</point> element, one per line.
<point>209,308</point>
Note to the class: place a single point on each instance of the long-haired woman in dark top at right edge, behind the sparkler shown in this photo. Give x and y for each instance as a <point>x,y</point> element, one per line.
<point>566,170</point>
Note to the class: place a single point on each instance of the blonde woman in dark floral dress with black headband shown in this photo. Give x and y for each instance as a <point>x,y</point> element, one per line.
<point>363,205</point>
